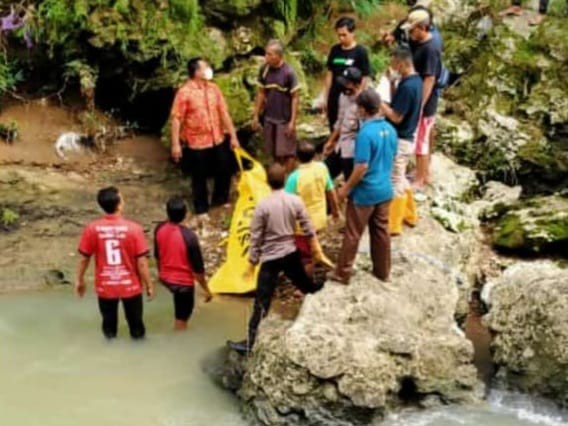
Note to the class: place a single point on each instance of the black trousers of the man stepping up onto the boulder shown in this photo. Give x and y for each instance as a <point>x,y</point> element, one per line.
<point>293,268</point>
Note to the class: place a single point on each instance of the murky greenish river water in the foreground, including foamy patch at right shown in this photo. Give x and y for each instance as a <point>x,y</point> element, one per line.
<point>57,370</point>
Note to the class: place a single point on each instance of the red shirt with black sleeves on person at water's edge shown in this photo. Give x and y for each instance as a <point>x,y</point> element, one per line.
<point>177,251</point>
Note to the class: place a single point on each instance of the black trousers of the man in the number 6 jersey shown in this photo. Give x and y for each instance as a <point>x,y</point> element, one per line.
<point>133,310</point>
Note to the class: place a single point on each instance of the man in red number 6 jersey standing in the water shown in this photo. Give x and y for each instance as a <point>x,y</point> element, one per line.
<point>121,265</point>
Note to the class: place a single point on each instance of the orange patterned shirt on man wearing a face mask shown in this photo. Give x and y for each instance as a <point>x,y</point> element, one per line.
<point>200,107</point>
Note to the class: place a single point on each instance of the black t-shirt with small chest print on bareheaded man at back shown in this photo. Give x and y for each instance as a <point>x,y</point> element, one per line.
<point>340,59</point>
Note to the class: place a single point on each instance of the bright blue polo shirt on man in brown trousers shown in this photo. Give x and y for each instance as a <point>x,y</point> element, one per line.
<point>376,145</point>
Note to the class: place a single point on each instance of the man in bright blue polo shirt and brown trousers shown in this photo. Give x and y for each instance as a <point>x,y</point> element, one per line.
<point>369,191</point>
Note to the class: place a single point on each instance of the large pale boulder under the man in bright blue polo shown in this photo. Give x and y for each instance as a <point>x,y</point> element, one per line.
<point>358,352</point>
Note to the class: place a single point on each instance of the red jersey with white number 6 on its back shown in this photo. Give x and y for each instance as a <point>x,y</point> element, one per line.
<point>116,243</point>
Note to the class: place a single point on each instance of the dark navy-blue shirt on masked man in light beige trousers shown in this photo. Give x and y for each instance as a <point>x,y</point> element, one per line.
<point>407,101</point>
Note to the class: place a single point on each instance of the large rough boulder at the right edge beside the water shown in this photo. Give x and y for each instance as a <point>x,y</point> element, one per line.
<point>529,322</point>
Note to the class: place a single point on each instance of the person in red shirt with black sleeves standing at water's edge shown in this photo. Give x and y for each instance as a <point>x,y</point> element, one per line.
<point>180,262</point>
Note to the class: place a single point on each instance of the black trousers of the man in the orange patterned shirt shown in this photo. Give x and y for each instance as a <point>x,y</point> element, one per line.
<point>200,164</point>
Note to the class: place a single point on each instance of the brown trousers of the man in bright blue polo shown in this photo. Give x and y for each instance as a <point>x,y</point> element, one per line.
<point>357,218</point>
